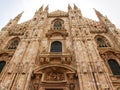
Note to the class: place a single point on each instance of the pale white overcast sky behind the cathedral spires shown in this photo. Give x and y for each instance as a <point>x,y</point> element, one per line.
<point>10,8</point>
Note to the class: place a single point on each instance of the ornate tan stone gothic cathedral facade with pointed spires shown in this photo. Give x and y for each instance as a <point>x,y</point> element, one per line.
<point>60,51</point>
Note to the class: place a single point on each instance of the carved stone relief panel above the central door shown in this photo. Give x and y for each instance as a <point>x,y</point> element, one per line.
<point>55,76</point>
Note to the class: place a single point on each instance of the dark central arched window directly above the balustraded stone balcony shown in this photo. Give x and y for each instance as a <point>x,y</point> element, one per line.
<point>56,46</point>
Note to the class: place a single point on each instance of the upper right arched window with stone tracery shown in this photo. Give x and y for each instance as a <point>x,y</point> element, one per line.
<point>102,42</point>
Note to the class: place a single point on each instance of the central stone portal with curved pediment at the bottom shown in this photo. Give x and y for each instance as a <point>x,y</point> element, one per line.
<point>54,77</point>
